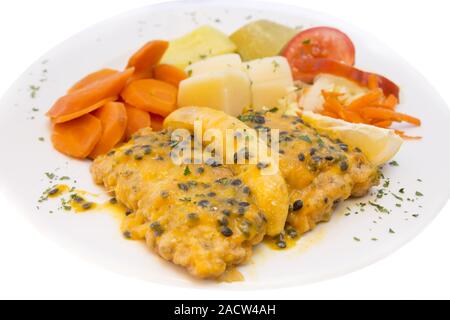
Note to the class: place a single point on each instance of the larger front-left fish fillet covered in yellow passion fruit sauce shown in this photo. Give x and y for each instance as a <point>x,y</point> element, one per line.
<point>201,217</point>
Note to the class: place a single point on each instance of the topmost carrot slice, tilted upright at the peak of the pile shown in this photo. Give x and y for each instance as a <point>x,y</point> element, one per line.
<point>148,56</point>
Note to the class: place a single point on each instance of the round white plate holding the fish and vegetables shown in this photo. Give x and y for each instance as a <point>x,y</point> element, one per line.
<point>329,251</point>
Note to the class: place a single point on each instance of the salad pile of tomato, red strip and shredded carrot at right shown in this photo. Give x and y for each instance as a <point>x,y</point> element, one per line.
<point>326,50</point>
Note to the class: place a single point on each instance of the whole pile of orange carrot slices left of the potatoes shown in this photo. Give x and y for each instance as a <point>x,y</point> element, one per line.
<point>108,106</point>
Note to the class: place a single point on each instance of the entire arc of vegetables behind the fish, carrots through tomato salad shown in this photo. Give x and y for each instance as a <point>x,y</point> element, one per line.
<point>254,68</point>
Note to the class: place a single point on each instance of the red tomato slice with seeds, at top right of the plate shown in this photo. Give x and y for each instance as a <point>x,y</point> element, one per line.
<point>319,43</point>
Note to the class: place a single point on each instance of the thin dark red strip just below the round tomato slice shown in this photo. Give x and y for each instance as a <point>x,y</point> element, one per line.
<point>312,67</point>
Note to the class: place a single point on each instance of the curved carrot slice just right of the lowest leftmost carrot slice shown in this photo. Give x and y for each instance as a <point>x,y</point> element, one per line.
<point>113,117</point>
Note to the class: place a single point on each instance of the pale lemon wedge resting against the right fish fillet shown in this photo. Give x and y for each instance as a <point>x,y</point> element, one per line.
<point>379,145</point>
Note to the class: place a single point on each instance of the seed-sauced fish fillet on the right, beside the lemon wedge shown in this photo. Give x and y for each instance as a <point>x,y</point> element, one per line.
<point>319,171</point>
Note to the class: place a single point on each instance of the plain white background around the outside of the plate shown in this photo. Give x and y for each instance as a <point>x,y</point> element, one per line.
<point>33,267</point>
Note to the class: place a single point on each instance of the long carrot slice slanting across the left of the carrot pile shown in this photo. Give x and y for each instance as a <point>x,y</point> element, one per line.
<point>84,101</point>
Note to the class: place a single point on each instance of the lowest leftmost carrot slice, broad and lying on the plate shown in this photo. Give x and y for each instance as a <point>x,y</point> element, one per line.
<point>77,138</point>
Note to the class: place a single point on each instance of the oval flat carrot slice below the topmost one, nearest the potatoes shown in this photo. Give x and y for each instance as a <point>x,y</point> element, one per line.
<point>151,95</point>
